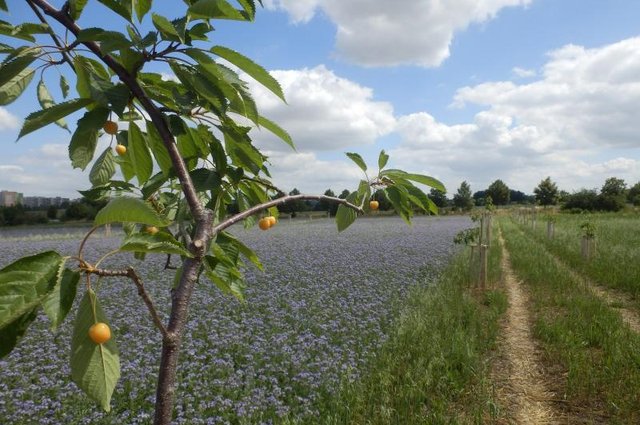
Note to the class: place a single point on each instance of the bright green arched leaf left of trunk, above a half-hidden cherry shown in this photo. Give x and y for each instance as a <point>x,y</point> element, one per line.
<point>129,210</point>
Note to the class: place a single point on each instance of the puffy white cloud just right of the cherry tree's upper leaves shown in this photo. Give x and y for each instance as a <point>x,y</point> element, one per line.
<point>324,111</point>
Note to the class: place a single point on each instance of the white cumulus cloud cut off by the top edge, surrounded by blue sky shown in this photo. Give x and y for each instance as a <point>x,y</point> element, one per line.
<point>388,33</point>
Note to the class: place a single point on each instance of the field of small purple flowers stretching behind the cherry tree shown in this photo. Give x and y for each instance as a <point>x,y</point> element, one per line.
<point>313,318</point>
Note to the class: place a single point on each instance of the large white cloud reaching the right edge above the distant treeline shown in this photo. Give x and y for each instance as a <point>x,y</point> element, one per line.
<point>566,124</point>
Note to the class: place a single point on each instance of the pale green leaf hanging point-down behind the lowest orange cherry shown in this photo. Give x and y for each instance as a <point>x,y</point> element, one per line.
<point>95,368</point>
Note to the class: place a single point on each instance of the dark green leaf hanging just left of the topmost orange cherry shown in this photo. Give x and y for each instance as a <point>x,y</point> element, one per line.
<point>85,138</point>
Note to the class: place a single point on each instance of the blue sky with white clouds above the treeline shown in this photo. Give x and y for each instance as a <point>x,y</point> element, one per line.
<point>473,90</point>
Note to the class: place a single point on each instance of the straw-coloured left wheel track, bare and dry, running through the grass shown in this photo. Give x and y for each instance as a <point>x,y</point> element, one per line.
<point>523,389</point>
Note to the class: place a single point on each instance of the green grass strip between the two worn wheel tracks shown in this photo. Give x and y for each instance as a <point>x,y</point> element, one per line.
<point>593,356</point>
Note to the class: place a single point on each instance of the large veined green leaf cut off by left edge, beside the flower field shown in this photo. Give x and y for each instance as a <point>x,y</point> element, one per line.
<point>24,285</point>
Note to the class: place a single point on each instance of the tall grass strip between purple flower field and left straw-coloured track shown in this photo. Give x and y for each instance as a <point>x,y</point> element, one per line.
<point>435,366</point>
